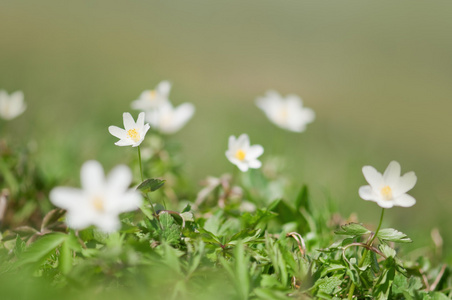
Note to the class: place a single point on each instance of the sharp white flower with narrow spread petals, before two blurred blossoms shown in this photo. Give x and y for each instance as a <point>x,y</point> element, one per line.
<point>133,133</point>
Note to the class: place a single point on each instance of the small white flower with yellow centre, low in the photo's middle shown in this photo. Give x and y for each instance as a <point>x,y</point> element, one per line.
<point>241,154</point>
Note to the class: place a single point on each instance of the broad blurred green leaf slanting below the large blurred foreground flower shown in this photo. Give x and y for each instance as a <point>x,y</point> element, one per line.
<point>41,249</point>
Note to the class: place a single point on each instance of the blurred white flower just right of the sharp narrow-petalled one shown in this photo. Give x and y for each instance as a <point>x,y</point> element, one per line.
<point>168,119</point>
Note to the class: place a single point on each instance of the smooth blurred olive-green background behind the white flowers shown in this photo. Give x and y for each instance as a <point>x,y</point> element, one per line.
<point>378,74</point>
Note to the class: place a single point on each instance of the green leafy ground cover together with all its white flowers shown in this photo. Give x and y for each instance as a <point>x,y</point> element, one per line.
<point>134,232</point>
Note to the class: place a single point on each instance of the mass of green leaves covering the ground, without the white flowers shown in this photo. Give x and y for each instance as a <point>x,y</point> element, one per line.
<point>213,247</point>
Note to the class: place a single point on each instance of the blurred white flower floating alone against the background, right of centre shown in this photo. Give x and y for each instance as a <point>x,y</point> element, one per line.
<point>287,113</point>
